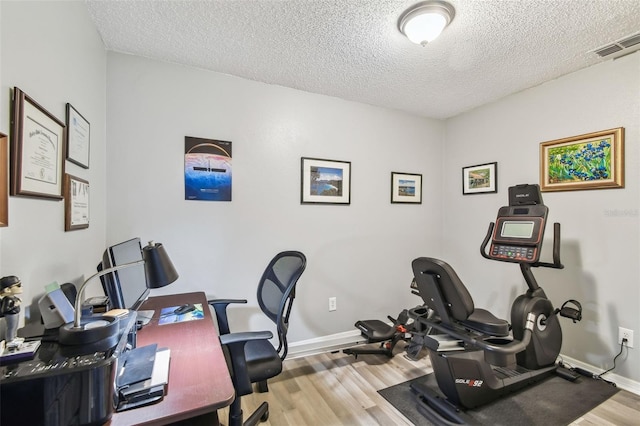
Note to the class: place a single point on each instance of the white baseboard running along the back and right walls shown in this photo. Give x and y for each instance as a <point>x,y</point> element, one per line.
<point>339,341</point>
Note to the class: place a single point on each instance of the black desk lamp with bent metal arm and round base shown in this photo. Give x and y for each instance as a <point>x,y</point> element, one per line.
<point>159,272</point>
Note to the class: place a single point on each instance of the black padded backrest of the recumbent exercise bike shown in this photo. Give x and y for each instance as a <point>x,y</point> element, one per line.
<point>436,279</point>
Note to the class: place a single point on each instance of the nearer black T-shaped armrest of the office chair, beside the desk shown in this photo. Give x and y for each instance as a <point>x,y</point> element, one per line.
<point>235,343</point>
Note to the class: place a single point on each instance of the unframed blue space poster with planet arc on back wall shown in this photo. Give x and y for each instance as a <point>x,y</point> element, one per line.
<point>207,169</point>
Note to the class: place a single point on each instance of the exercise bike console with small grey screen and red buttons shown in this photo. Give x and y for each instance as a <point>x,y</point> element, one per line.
<point>518,233</point>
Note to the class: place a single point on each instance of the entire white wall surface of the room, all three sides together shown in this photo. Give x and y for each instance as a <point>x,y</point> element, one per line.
<point>359,253</point>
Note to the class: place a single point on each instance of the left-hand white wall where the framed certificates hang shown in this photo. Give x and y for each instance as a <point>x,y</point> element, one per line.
<point>52,51</point>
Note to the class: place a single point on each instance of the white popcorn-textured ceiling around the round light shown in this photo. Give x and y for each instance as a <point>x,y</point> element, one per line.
<point>352,49</point>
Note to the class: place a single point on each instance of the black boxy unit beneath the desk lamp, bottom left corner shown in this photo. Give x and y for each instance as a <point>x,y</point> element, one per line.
<point>64,385</point>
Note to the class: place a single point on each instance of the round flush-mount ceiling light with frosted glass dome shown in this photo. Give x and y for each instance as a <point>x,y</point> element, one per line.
<point>424,21</point>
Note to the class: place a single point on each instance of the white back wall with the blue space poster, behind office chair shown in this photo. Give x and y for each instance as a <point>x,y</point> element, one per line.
<point>359,253</point>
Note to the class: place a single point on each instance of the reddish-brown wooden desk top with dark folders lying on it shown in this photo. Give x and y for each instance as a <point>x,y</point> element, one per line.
<point>199,381</point>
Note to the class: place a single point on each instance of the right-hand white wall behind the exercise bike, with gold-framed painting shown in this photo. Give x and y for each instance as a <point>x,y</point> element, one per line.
<point>600,232</point>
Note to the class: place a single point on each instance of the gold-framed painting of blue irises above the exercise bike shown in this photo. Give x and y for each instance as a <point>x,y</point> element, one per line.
<point>589,161</point>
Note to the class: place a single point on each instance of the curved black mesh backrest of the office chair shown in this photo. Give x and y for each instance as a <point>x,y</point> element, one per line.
<point>277,289</point>
